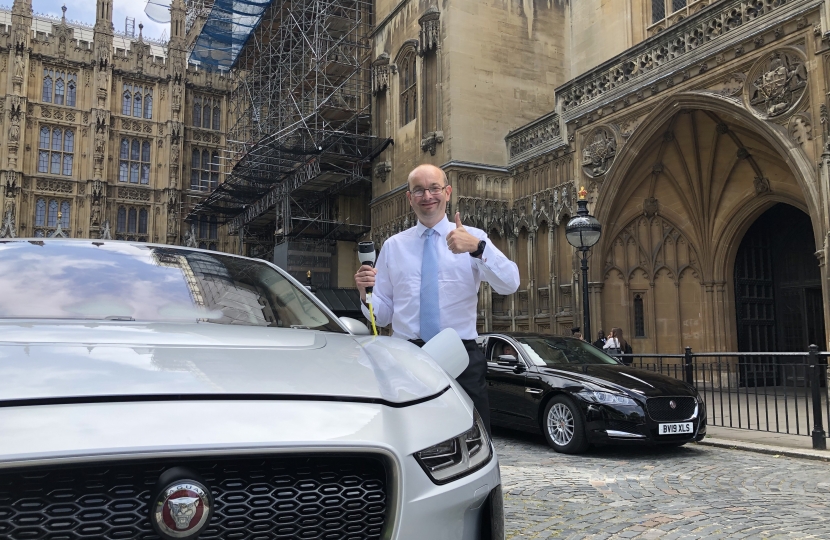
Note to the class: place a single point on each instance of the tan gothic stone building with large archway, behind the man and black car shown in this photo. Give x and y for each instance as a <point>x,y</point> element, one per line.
<point>699,128</point>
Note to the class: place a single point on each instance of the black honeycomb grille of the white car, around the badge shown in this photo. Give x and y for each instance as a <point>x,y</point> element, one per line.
<point>264,498</point>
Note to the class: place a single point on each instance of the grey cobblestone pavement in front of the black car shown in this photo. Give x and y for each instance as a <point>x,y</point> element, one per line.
<point>690,492</point>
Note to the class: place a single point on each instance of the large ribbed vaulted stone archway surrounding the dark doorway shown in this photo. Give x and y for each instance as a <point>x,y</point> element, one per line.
<point>673,210</point>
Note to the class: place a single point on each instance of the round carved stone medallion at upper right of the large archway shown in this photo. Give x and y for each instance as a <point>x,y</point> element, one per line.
<point>778,83</point>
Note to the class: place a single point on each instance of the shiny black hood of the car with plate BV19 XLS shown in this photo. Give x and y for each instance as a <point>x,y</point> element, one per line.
<point>646,383</point>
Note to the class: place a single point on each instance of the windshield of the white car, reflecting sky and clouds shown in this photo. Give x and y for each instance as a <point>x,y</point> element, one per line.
<point>106,280</point>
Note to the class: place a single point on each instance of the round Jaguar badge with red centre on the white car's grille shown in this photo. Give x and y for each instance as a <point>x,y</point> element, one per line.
<point>181,509</point>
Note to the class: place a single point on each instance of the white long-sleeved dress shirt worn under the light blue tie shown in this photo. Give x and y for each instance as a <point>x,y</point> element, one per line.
<point>396,296</point>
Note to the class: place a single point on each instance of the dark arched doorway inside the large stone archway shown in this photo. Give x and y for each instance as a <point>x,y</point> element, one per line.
<point>778,296</point>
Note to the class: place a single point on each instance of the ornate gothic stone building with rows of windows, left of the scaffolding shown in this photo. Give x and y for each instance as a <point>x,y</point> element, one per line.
<point>106,135</point>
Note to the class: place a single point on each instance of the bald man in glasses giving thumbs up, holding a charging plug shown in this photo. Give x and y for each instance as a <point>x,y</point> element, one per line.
<point>455,259</point>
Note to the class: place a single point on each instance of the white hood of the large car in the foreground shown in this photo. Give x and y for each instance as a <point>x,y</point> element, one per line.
<point>90,360</point>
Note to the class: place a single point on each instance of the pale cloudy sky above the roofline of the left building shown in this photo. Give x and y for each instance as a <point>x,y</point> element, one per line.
<point>84,11</point>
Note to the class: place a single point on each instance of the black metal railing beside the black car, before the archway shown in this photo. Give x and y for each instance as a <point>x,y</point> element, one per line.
<point>774,392</point>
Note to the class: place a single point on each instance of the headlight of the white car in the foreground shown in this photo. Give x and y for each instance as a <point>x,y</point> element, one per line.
<point>457,457</point>
